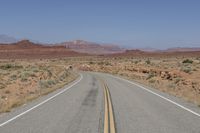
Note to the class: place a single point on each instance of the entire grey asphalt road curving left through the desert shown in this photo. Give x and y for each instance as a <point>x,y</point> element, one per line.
<point>80,108</point>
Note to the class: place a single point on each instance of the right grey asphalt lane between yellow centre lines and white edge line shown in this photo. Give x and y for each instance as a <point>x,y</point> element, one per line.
<point>137,110</point>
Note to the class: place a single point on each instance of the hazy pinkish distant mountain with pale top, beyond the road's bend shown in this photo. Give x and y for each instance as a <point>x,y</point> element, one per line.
<point>91,47</point>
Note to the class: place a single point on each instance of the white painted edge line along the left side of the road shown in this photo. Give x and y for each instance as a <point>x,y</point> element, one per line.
<point>45,101</point>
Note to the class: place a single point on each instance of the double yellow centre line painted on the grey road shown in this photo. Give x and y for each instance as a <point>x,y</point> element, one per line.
<point>109,122</point>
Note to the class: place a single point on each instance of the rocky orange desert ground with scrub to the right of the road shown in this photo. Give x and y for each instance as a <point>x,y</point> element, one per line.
<point>179,76</point>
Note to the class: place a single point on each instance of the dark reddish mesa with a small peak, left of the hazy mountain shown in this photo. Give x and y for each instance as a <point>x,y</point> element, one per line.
<point>28,49</point>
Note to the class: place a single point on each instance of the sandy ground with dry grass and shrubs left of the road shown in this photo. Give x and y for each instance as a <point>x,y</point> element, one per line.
<point>23,80</point>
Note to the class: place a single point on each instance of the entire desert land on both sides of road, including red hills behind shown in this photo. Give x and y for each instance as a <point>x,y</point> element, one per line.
<point>30,70</point>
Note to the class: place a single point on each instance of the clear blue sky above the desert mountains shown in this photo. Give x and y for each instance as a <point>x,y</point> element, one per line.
<point>131,23</point>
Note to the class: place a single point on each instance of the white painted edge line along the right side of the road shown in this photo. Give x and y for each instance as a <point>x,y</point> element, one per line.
<point>181,106</point>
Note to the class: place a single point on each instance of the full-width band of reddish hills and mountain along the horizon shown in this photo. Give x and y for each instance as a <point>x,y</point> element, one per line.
<point>26,49</point>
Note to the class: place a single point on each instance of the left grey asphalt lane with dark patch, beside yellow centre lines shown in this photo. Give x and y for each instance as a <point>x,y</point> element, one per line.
<point>77,110</point>
